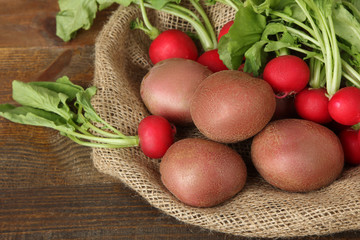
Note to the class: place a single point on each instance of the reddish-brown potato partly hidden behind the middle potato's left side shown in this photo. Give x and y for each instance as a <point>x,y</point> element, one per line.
<point>168,87</point>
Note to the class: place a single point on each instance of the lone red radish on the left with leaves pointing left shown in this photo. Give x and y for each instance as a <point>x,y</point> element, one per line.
<point>156,135</point>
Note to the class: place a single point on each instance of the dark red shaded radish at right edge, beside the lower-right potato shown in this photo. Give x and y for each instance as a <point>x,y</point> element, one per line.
<point>351,145</point>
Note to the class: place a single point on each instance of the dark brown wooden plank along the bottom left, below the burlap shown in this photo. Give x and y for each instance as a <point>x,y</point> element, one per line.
<point>87,212</point>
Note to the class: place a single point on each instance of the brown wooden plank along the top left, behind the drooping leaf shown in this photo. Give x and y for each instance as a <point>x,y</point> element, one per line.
<point>32,24</point>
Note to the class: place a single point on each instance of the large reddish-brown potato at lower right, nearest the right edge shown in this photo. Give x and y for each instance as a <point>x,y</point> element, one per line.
<point>297,155</point>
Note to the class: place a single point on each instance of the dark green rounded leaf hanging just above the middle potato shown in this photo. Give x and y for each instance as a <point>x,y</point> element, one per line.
<point>247,30</point>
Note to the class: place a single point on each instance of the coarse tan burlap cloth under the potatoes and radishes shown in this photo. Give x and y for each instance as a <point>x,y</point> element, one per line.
<point>259,210</point>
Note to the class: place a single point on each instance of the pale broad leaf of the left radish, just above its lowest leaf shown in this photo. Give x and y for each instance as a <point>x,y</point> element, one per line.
<point>41,98</point>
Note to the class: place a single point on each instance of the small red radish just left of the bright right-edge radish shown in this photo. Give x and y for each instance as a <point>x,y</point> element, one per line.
<point>312,104</point>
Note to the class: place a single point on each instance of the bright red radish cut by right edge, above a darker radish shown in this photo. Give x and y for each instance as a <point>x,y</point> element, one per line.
<point>344,106</point>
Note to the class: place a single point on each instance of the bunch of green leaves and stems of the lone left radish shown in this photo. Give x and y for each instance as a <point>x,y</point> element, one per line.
<point>67,108</point>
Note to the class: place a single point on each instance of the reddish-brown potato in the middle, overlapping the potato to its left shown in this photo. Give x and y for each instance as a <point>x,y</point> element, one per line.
<point>230,106</point>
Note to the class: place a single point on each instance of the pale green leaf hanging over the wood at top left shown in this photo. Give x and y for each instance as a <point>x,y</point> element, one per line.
<point>74,15</point>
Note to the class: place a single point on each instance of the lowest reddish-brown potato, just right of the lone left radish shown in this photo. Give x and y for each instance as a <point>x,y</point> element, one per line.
<point>202,173</point>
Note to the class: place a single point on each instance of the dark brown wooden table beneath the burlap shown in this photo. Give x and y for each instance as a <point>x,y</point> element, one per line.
<point>42,195</point>
